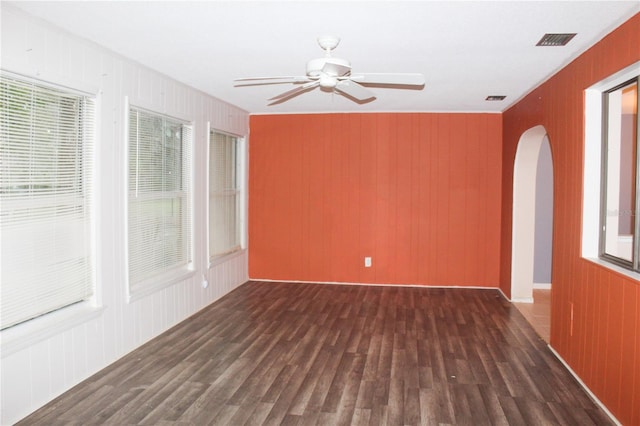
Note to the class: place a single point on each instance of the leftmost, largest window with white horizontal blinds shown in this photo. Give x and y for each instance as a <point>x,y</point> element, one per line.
<point>46,155</point>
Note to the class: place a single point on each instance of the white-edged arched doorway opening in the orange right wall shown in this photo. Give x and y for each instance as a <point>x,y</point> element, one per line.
<point>532,215</point>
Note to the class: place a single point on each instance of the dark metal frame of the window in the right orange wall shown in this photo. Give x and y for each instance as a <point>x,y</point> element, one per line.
<point>632,265</point>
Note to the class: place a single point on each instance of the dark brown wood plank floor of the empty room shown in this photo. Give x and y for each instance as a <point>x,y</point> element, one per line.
<point>306,354</point>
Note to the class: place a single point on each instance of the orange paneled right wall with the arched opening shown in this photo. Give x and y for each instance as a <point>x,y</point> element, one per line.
<point>603,346</point>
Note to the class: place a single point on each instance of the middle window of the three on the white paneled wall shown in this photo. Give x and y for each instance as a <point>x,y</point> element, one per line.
<point>159,212</point>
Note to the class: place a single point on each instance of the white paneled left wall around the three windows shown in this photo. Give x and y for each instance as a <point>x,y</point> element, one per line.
<point>36,372</point>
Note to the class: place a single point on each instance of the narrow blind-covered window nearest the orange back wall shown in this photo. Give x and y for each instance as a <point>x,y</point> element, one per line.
<point>224,194</point>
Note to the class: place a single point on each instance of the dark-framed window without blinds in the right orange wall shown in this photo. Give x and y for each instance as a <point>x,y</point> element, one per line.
<point>620,227</point>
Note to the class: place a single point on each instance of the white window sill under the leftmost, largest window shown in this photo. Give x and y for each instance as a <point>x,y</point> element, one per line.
<point>30,332</point>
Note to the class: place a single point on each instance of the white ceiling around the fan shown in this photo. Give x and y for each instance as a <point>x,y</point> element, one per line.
<point>467,50</point>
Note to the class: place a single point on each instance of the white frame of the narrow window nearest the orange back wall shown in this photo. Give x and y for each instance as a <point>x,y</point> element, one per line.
<point>239,192</point>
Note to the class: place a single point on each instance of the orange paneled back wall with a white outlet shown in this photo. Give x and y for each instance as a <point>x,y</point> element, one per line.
<point>419,193</point>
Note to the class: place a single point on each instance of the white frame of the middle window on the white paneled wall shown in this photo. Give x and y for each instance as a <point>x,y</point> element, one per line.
<point>153,283</point>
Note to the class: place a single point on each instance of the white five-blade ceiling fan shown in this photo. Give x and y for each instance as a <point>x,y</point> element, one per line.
<point>334,75</point>
